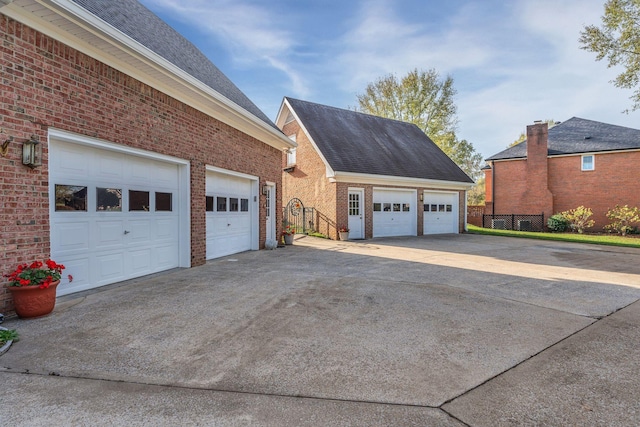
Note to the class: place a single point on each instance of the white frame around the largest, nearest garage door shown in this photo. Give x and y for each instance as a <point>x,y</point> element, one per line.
<point>184,192</point>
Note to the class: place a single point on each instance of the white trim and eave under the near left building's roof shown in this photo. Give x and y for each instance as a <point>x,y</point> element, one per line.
<point>213,103</point>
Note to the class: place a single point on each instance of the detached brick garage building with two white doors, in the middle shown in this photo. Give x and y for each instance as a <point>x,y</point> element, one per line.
<point>379,177</point>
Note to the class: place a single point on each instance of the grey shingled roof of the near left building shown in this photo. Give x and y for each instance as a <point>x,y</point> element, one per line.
<point>142,25</point>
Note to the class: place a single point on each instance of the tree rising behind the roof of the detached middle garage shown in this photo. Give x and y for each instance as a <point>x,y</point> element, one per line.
<point>422,98</point>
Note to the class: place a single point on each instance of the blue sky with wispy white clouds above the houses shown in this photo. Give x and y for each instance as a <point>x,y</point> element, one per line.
<point>512,62</point>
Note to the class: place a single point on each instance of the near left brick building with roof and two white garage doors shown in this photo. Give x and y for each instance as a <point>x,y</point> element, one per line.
<point>151,157</point>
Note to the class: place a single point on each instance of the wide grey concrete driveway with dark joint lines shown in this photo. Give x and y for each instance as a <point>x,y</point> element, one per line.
<point>448,330</point>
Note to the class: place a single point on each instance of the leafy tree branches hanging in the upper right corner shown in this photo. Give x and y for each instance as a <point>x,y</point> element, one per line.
<point>618,40</point>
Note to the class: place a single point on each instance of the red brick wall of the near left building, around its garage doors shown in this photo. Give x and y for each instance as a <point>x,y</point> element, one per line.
<point>47,84</point>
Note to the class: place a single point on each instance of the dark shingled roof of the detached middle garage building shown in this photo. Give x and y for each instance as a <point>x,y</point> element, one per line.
<point>362,143</point>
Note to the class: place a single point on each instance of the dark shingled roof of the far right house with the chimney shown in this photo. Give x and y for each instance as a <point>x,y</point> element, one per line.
<point>578,135</point>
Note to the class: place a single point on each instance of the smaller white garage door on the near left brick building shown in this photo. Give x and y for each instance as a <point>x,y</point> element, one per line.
<point>229,215</point>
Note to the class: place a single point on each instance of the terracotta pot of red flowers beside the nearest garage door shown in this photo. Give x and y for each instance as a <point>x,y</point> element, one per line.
<point>33,287</point>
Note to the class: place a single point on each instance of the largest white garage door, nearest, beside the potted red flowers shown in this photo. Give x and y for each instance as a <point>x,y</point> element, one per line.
<point>114,216</point>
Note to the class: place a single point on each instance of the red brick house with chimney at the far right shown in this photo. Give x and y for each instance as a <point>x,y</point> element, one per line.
<point>578,162</point>
